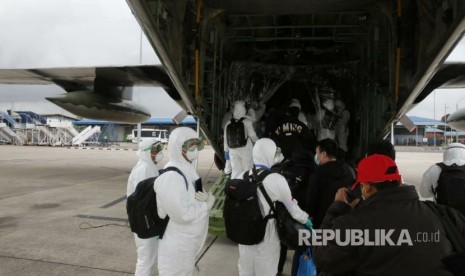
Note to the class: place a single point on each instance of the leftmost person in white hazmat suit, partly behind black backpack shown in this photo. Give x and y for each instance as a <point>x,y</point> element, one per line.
<point>150,153</point>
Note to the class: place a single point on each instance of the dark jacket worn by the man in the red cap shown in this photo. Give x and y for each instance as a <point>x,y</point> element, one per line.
<point>394,208</point>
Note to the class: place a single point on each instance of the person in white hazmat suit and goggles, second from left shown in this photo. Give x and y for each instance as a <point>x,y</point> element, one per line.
<point>188,211</point>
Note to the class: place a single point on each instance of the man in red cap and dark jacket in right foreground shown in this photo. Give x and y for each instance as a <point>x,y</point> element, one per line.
<point>390,233</point>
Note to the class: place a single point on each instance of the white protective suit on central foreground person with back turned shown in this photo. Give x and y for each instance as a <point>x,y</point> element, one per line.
<point>262,259</point>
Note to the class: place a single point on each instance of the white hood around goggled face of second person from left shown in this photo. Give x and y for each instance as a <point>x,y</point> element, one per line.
<point>177,139</point>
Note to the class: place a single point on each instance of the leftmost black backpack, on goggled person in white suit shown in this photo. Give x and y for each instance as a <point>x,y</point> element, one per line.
<point>141,207</point>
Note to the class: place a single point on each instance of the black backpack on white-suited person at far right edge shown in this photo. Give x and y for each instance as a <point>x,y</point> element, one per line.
<point>451,186</point>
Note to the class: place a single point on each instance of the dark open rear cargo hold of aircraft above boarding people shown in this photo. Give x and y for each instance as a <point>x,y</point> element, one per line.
<point>380,57</point>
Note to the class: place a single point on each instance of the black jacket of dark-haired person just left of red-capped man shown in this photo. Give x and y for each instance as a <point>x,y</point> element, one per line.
<point>322,188</point>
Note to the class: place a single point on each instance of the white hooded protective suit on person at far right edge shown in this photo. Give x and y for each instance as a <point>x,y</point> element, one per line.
<point>454,154</point>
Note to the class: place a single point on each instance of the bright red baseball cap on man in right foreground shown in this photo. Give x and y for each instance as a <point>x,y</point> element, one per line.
<point>376,168</point>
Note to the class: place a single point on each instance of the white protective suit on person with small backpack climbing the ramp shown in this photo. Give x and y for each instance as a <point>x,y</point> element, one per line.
<point>241,158</point>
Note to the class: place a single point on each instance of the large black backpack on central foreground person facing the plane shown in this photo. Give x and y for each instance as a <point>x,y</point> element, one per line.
<point>243,219</point>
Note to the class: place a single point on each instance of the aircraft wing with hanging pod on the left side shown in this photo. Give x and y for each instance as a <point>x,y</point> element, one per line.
<point>101,93</point>
